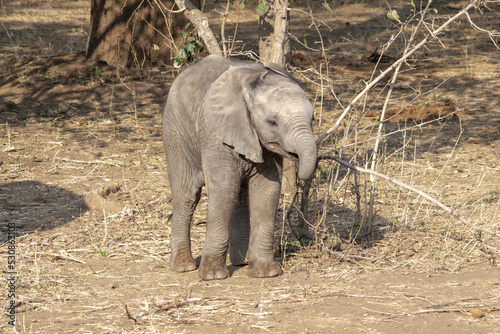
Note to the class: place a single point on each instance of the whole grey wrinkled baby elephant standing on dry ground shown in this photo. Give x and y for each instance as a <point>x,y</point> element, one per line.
<point>228,125</point>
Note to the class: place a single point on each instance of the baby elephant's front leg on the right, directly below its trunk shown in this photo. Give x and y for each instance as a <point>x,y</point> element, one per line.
<point>264,192</point>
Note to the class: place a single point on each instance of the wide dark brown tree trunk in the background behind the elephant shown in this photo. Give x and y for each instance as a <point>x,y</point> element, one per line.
<point>128,33</point>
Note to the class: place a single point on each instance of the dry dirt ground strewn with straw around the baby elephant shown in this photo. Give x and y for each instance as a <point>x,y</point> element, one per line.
<point>83,180</point>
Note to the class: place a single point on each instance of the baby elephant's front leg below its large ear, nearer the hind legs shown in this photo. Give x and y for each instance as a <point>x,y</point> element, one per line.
<point>222,187</point>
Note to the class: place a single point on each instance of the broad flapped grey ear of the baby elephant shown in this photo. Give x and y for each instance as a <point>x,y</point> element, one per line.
<point>226,113</point>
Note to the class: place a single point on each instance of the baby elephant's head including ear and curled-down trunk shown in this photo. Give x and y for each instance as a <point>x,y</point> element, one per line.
<point>255,105</point>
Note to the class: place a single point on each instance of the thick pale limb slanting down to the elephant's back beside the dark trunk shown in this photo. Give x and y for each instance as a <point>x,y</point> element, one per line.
<point>196,17</point>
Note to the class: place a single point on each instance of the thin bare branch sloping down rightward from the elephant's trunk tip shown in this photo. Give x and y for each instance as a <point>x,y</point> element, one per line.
<point>408,187</point>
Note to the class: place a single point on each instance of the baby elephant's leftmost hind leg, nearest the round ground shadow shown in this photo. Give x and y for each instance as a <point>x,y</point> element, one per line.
<point>184,200</point>
